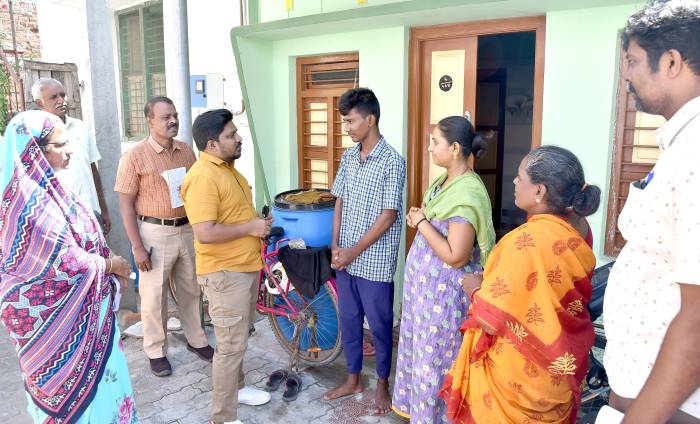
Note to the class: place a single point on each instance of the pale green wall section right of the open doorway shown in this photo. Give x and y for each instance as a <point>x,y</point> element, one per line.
<point>580,89</point>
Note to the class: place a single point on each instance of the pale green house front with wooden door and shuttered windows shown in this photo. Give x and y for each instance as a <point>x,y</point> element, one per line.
<point>531,72</point>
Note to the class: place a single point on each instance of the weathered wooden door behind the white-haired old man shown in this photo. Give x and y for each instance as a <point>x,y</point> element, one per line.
<point>66,73</point>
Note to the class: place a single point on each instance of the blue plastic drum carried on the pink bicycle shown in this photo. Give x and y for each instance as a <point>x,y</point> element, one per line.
<point>313,223</point>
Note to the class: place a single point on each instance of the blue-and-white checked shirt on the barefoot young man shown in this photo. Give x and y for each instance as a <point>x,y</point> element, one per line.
<point>367,188</point>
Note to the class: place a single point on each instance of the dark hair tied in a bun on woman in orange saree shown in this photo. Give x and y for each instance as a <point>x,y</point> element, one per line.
<point>561,172</point>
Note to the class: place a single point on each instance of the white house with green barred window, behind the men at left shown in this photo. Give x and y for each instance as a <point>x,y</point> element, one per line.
<point>126,51</point>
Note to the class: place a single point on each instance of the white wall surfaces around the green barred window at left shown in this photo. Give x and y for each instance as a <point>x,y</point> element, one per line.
<point>63,33</point>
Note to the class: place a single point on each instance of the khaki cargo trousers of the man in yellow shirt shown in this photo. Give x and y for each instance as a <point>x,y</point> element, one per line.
<point>232,297</point>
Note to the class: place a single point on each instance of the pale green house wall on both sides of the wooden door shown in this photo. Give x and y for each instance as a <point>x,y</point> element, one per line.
<point>581,72</point>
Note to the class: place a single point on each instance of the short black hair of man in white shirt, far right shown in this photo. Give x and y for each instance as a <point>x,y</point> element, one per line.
<point>664,25</point>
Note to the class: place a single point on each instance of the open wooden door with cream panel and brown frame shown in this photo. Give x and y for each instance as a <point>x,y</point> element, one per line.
<point>443,51</point>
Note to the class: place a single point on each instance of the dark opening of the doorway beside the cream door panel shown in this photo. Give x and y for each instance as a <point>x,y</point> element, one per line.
<point>504,105</point>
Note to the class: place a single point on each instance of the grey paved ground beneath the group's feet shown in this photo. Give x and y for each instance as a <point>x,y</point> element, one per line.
<point>185,396</point>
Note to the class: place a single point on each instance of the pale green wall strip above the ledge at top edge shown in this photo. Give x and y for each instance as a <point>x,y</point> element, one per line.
<point>273,10</point>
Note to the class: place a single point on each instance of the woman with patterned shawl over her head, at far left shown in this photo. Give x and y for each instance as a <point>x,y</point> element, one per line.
<point>58,284</point>
